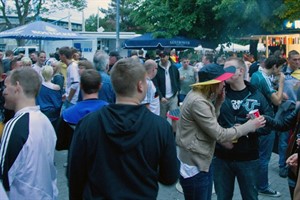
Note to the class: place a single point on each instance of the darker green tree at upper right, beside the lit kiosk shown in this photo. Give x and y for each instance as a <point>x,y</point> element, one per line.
<point>254,20</point>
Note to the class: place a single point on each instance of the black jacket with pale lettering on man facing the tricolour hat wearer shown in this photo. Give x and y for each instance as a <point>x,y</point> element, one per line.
<point>246,148</point>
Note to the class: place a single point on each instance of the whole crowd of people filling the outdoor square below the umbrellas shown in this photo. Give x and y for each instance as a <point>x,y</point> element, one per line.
<point>114,116</point>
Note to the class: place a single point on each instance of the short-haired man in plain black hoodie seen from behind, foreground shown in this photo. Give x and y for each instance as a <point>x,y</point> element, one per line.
<point>122,150</point>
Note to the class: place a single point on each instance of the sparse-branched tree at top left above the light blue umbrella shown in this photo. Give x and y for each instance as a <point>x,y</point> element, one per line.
<point>28,10</point>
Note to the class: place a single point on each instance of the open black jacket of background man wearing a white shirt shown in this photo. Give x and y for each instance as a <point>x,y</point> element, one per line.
<point>160,80</point>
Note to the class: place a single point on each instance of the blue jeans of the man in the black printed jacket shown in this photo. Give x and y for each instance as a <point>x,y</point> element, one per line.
<point>225,173</point>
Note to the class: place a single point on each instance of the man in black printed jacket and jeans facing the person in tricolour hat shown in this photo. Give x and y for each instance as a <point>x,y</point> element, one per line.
<point>239,159</point>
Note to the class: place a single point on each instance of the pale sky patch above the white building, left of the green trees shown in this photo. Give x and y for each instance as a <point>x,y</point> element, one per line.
<point>92,6</point>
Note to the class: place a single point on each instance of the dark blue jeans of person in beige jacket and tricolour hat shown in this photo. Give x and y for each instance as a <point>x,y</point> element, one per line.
<point>198,187</point>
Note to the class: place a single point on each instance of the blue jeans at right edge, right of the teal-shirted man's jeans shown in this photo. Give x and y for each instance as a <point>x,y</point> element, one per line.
<point>282,146</point>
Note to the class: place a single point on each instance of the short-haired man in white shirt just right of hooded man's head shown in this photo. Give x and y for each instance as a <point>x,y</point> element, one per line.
<point>152,97</point>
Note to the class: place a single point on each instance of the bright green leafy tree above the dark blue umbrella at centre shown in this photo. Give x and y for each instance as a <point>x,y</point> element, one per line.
<point>191,18</point>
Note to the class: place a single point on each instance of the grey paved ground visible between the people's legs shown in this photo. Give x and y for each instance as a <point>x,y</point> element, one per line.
<point>170,193</point>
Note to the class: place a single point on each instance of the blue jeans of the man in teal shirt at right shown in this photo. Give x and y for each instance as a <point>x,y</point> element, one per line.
<point>266,143</point>
